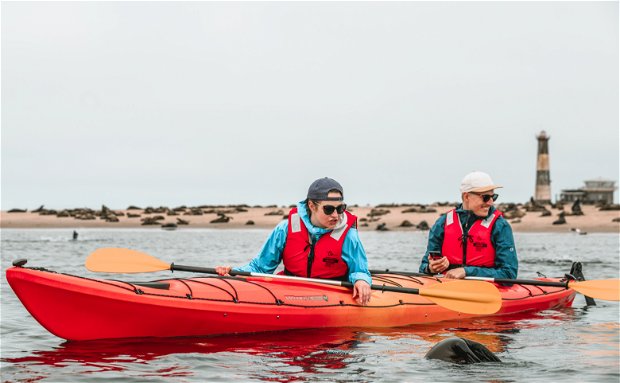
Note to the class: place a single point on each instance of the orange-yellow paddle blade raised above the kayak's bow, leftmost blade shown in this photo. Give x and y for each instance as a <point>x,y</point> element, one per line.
<point>119,260</point>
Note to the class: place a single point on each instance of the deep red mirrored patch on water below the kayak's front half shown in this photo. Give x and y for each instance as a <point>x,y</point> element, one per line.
<point>309,350</point>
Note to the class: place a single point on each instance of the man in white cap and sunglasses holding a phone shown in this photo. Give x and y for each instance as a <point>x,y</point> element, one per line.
<point>473,239</point>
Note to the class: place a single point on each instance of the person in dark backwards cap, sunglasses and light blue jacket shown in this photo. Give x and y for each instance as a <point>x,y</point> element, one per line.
<point>318,240</point>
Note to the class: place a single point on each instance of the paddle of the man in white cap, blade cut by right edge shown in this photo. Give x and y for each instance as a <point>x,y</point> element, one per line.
<point>605,289</point>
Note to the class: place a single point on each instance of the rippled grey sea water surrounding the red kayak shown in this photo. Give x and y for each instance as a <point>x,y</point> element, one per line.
<point>577,344</point>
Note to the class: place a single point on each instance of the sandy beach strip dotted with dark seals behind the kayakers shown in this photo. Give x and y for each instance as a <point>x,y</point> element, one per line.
<point>381,217</point>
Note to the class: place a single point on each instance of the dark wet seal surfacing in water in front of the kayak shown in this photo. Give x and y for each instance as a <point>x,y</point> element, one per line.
<point>460,350</point>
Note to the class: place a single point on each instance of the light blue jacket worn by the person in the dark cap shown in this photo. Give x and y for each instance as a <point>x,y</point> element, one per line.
<point>270,256</point>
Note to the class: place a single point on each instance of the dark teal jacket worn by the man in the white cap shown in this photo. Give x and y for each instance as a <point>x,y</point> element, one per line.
<point>506,263</point>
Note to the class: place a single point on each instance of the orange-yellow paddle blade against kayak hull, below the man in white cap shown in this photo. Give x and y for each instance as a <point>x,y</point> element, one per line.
<point>469,297</point>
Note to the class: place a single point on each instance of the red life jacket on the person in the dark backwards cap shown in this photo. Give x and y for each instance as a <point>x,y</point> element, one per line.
<point>326,261</point>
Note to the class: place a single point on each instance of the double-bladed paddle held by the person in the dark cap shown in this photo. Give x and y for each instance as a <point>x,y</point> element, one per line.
<point>470,297</point>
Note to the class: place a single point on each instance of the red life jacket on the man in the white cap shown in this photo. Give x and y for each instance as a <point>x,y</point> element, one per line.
<point>479,250</point>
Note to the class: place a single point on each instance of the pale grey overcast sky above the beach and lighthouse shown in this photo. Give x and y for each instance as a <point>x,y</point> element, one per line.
<point>222,103</point>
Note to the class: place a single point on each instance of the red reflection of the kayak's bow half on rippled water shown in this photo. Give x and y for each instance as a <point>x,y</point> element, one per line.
<point>311,351</point>
